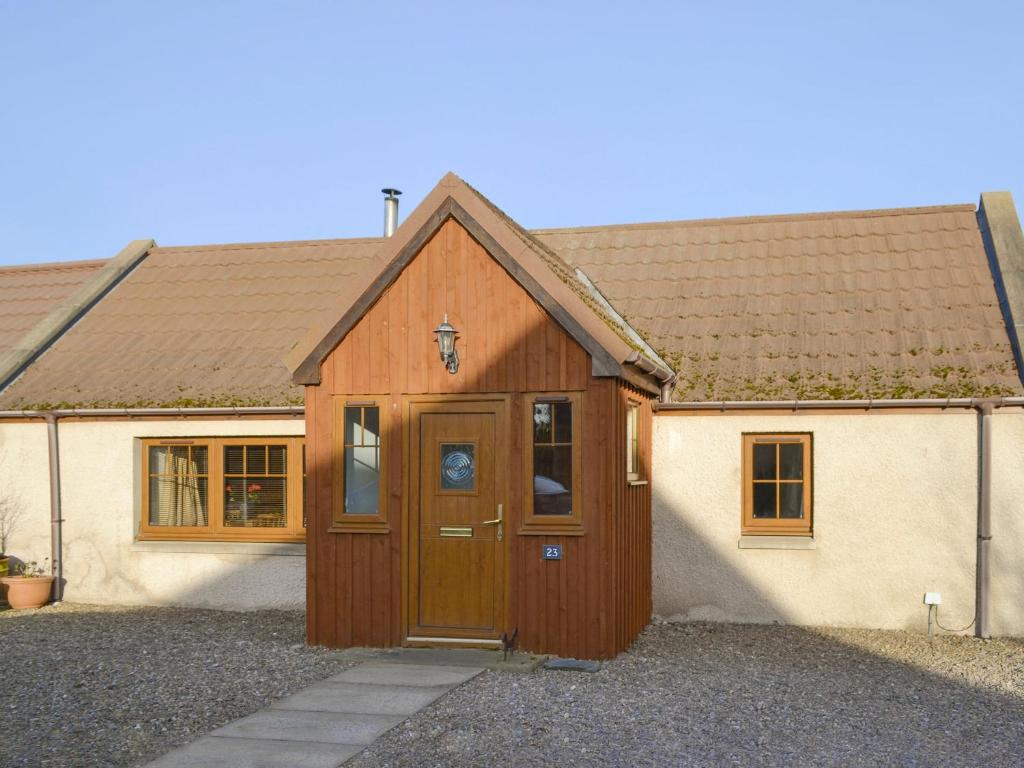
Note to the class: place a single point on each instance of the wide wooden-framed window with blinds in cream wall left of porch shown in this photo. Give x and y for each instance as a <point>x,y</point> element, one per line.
<point>223,489</point>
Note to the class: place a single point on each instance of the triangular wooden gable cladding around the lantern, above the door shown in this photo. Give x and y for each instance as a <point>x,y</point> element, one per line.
<point>506,343</point>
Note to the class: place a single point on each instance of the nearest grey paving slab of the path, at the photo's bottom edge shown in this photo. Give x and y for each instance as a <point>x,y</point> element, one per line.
<point>212,752</point>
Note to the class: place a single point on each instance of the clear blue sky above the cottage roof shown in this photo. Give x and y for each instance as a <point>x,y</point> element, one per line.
<point>211,122</point>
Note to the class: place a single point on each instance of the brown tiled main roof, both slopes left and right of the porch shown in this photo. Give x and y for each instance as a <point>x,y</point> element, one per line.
<point>877,305</point>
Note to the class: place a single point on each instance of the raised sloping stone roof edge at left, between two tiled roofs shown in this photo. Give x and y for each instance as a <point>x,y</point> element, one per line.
<point>41,336</point>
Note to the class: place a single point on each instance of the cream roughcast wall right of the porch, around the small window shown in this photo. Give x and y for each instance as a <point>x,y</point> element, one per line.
<point>895,516</point>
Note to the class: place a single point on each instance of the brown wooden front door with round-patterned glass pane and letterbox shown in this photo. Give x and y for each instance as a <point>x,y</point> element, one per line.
<point>458,480</point>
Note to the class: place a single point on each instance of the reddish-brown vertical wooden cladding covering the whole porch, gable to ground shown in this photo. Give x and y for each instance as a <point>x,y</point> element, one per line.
<point>591,604</point>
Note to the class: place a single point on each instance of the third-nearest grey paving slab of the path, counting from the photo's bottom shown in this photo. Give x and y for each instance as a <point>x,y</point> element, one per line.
<point>365,699</point>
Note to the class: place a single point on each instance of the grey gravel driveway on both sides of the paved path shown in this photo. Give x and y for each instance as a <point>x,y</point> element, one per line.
<point>88,687</point>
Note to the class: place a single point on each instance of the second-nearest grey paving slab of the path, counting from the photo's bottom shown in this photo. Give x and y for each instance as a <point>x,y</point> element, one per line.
<point>291,726</point>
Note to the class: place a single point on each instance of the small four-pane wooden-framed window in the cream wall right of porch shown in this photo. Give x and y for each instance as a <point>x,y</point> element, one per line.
<point>778,485</point>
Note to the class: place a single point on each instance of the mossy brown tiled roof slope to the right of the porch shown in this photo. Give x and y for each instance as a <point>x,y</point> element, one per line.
<point>897,304</point>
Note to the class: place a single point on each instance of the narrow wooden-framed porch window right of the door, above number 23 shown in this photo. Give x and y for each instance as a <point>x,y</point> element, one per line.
<point>553,496</point>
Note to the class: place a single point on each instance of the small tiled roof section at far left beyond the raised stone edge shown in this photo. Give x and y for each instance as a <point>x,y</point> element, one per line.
<point>29,293</point>
